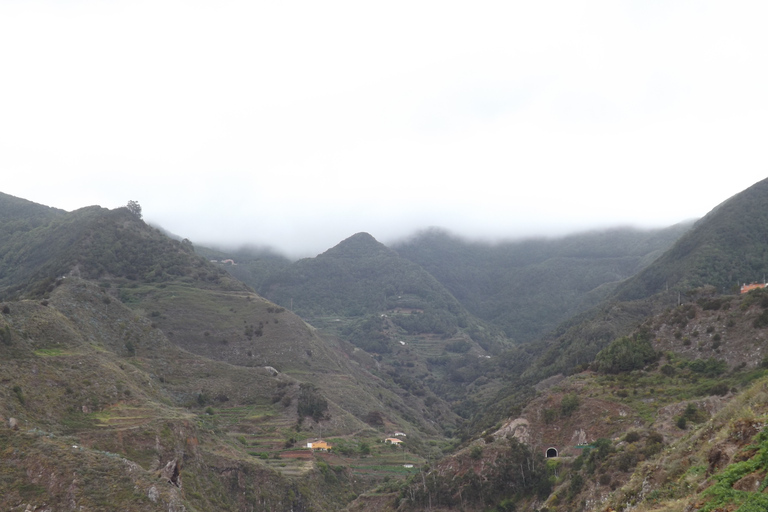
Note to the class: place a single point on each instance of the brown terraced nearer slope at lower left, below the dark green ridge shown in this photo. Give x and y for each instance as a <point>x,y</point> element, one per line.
<point>106,413</point>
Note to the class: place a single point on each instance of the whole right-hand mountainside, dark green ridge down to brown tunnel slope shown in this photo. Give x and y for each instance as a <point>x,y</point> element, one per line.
<point>661,403</point>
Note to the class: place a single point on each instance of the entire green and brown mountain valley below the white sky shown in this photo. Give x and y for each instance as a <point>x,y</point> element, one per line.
<point>620,370</point>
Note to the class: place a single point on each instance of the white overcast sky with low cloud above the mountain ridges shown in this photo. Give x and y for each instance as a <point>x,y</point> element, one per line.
<point>297,124</point>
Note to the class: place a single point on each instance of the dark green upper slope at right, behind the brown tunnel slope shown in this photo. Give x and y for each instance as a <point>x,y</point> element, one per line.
<point>727,242</point>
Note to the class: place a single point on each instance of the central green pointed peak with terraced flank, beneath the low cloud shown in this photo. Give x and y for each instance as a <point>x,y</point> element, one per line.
<point>421,337</point>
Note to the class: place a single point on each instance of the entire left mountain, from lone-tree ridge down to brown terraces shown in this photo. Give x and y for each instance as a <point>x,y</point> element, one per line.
<point>138,375</point>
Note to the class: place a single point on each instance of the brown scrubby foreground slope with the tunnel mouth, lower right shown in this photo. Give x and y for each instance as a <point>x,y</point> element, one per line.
<point>671,417</point>
